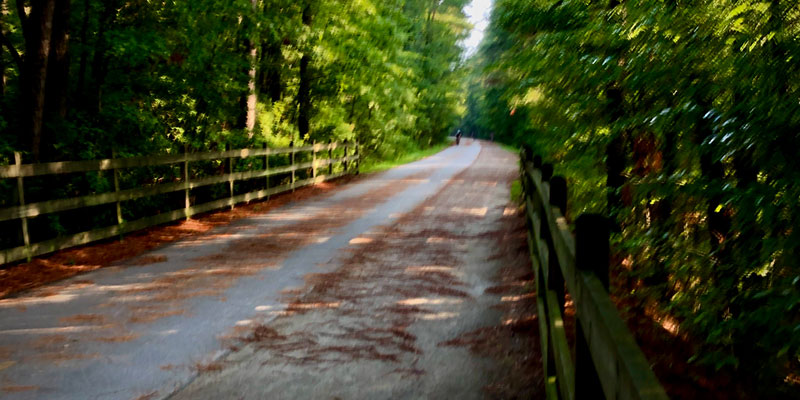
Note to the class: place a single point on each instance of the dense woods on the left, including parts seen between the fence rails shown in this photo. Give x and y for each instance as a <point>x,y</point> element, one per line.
<point>90,79</point>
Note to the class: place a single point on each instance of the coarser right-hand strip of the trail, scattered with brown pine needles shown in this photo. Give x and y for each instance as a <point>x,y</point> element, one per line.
<point>438,304</point>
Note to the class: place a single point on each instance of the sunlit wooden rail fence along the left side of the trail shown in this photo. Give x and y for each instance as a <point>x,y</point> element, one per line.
<point>321,156</point>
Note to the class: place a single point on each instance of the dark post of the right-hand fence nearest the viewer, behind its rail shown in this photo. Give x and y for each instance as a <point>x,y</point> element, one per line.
<point>591,253</point>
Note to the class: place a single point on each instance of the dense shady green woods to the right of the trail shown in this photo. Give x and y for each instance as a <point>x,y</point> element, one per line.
<point>680,120</point>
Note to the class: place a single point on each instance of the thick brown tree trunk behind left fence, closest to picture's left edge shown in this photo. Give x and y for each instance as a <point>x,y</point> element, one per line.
<point>38,27</point>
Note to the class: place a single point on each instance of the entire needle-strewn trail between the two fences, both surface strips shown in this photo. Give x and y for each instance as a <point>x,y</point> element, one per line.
<point>397,286</point>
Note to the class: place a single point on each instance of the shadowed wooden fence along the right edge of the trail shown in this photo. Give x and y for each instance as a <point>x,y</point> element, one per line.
<point>606,362</point>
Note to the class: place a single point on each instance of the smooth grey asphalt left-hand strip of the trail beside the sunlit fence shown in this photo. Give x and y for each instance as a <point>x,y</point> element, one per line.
<point>147,327</point>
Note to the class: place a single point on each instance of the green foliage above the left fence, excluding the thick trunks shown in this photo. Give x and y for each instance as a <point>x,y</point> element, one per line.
<point>149,77</point>
